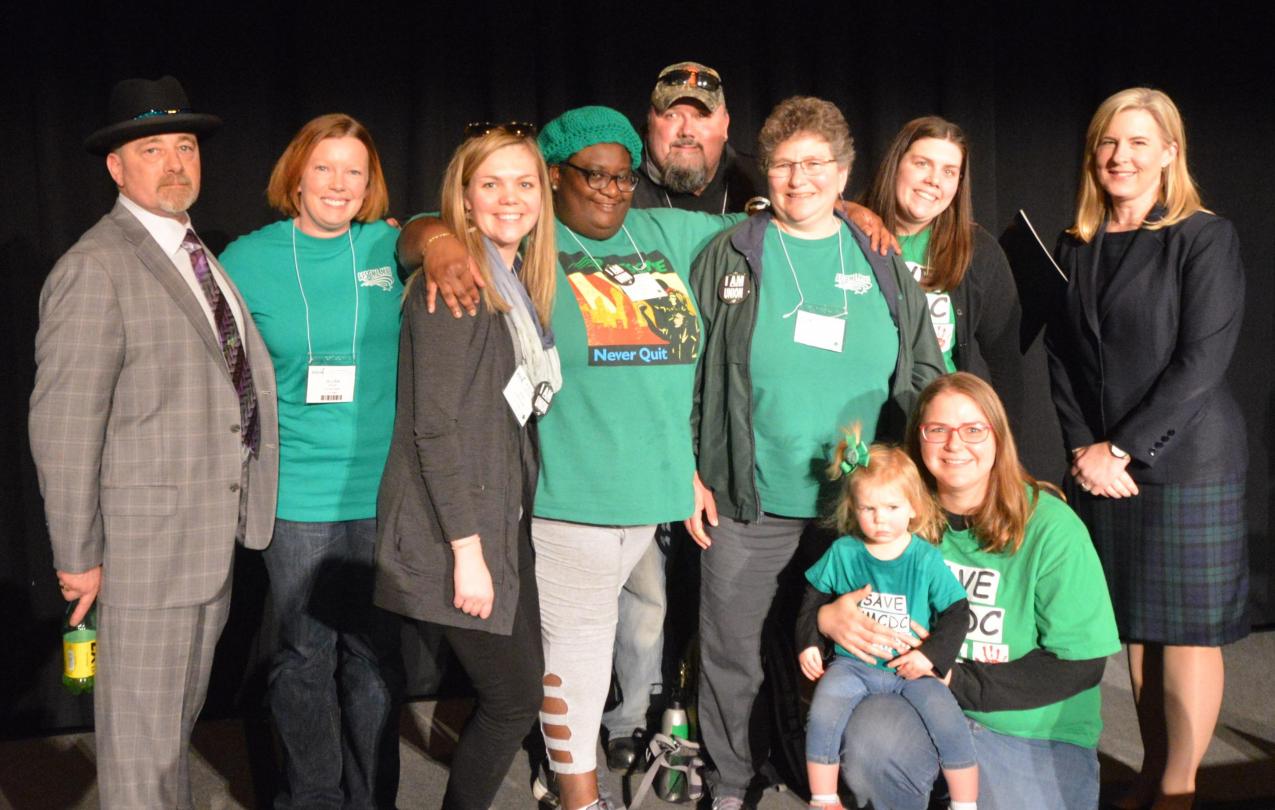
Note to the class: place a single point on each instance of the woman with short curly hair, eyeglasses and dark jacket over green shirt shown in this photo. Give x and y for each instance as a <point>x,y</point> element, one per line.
<point>831,335</point>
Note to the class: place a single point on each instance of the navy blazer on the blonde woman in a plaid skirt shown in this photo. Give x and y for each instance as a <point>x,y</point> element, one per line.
<point>1143,363</point>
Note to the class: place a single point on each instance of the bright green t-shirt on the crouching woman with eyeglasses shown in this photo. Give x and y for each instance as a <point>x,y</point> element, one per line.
<point>1049,595</point>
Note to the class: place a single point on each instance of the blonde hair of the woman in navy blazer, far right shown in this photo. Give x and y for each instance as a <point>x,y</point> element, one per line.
<point>1179,193</point>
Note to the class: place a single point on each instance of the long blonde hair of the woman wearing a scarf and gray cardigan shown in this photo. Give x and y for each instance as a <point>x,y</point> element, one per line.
<point>540,258</point>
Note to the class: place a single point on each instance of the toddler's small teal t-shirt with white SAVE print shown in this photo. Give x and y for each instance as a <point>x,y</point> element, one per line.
<point>916,586</point>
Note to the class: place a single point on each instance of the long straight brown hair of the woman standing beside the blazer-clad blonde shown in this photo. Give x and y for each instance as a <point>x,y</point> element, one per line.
<point>952,237</point>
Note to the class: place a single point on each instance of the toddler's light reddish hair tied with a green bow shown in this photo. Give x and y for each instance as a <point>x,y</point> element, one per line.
<point>888,465</point>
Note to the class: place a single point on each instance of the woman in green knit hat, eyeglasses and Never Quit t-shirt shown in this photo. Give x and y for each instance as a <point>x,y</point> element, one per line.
<point>616,448</point>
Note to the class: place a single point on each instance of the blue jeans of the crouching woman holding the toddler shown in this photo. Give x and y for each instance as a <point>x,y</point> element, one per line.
<point>891,762</point>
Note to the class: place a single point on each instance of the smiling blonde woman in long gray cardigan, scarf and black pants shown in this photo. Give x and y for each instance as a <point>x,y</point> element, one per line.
<point>455,543</point>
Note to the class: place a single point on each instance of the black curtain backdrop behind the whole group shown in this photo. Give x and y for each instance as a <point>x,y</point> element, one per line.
<point>1022,78</point>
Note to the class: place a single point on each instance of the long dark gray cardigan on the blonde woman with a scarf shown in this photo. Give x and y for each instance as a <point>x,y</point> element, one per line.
<point>460,465</point>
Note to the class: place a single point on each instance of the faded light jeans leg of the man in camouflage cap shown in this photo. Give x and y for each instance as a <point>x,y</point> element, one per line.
<point>639,645</point>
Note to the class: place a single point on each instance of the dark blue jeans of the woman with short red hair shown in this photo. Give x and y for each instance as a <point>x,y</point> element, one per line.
<point>336,675</point>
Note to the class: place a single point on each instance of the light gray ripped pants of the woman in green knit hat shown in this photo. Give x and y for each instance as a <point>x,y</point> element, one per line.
<point>581,571</point>
